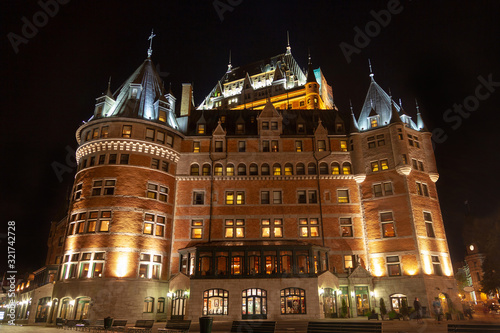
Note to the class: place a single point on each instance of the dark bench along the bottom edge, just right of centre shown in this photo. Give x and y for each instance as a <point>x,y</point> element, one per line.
<point>343,326</point>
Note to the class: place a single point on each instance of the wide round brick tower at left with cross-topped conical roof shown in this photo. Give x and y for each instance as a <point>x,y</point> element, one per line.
<point>119,222</point>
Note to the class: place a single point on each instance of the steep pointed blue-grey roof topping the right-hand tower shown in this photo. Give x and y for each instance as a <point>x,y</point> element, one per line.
<point>377,102</point>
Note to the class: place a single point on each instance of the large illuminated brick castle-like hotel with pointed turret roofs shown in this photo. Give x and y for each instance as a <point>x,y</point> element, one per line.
<point>263,202</point>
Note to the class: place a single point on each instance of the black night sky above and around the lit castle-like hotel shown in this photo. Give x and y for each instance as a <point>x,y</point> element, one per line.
<point>433,51</point>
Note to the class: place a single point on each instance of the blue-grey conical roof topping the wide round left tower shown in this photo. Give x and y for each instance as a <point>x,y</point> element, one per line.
<point>139,97</point>
